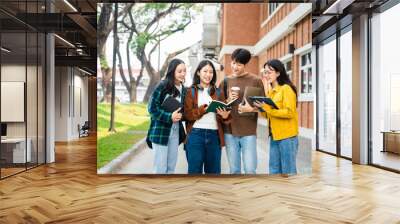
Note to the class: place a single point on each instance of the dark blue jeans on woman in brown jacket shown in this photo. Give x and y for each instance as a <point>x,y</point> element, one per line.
<point>203,149</point>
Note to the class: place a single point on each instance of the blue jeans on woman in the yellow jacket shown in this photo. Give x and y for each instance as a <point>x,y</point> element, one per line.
<point>282,156</point>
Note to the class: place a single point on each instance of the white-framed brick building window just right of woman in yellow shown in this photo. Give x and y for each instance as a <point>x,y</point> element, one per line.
<point>305,74</point>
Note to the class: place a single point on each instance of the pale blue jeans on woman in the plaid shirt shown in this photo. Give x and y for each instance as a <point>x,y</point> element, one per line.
<point>165,156</point>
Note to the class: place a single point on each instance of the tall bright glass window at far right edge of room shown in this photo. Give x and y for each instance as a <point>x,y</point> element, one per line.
<point>385,89</point>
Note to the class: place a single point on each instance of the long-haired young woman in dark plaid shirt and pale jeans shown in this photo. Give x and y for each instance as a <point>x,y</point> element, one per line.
<point>166,130</point>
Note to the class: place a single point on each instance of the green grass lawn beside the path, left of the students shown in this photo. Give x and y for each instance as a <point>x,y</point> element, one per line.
<point>131,123</point>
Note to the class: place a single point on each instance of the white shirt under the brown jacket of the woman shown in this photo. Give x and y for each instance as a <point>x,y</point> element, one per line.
<point>208,120</point>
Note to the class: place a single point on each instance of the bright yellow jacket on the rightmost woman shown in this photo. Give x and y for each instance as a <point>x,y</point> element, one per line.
<point>283,121</point>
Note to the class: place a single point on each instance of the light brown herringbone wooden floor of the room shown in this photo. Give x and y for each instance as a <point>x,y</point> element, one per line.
<point>70,191</point>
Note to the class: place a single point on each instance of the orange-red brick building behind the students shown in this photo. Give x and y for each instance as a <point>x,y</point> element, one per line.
<point>273,30</point>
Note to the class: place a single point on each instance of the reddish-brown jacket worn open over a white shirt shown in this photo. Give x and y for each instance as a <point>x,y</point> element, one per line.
<point>193,113</point>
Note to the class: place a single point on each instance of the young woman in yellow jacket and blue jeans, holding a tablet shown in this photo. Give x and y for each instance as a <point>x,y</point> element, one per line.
<point>283,122</point>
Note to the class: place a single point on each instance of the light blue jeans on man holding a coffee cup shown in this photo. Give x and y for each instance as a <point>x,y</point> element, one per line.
<point>238,147</point>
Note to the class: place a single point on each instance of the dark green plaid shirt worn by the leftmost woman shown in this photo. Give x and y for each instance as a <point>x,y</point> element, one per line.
<point>161,122</point>
